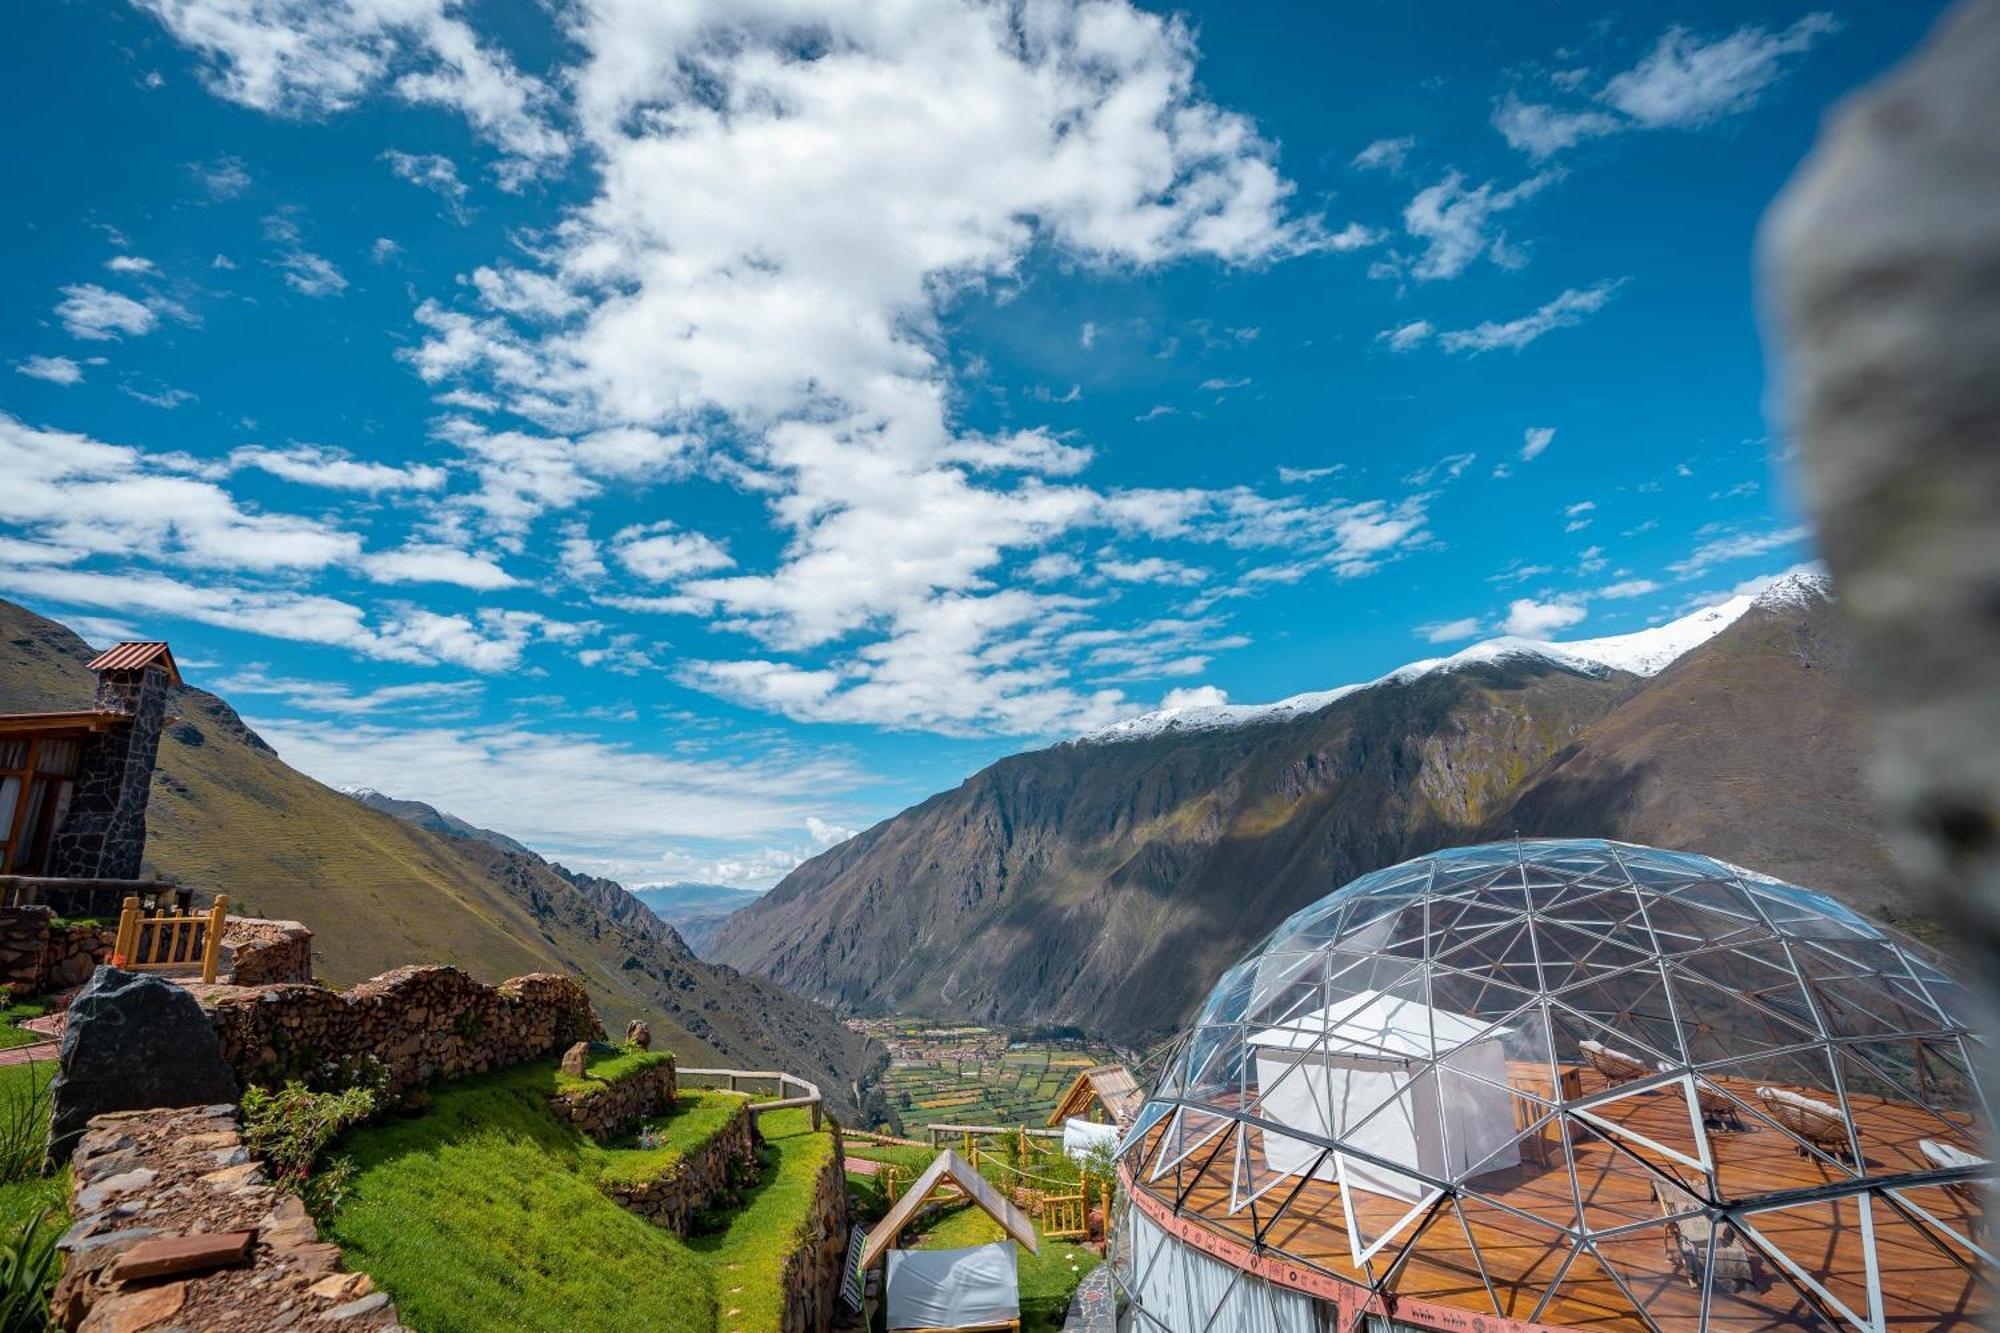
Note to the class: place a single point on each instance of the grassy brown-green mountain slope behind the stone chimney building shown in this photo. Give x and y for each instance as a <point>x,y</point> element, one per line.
<point>227,816</point>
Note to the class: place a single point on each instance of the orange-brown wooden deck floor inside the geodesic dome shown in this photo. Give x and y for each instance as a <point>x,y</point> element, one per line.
<point>1925,1284</point>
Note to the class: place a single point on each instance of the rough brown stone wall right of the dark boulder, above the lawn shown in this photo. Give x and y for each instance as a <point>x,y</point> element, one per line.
<point>421,1022</point>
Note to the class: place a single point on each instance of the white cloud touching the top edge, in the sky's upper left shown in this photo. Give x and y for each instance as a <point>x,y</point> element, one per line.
<point>305,57</point>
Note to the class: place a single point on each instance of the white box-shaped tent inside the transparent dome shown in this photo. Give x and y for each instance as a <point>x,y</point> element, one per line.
<point>1361,1072</point>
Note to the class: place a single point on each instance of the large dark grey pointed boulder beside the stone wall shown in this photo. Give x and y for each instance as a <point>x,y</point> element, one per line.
<point>133,1044</point>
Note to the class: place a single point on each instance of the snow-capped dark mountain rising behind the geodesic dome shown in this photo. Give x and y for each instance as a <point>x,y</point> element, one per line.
<point>1109,882</point>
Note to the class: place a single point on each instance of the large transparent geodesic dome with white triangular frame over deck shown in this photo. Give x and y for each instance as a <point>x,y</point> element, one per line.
<point>1567,1084</point>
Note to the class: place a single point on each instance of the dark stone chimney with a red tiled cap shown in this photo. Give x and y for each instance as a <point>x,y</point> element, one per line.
<point>103,834</point>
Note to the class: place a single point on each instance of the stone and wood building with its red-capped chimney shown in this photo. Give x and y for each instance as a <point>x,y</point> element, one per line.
<point>73,786</point>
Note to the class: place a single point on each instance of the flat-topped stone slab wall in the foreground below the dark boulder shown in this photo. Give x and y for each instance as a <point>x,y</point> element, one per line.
<point>145,1176</point>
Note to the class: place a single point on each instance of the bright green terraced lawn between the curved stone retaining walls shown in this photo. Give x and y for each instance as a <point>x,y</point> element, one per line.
<point>485,1214</point>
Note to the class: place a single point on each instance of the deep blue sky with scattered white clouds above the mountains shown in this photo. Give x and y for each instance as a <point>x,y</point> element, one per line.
<point>683,435</point>
